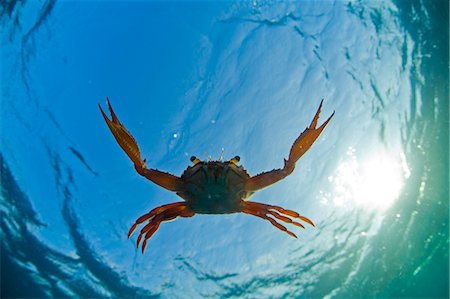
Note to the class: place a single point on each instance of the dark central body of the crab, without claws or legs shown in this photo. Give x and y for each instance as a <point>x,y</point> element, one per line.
<point>214,187</point>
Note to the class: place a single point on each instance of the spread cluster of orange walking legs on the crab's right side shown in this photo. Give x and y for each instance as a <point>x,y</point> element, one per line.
<point>263,211</point>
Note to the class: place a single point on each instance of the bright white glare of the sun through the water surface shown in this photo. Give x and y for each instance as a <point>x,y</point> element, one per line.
<point>374,183</point>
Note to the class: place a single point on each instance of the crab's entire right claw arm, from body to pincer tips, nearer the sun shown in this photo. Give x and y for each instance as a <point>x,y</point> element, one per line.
<point>301,145</point>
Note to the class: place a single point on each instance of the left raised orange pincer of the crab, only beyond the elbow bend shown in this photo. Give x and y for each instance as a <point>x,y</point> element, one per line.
<point>123,137</point>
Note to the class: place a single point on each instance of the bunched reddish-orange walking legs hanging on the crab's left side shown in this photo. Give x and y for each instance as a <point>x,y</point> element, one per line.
<point>156,217</point>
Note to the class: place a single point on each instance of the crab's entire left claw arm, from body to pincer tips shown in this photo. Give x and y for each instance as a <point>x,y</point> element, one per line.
<point>127,142</point>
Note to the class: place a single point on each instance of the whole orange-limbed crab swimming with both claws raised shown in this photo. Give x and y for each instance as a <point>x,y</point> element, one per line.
<point>214,187</point>
